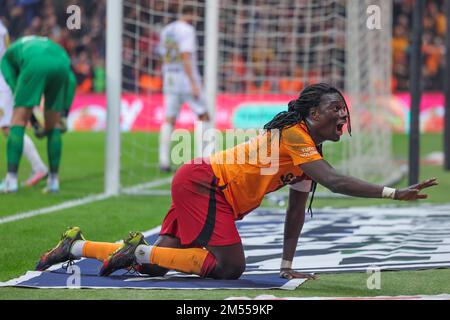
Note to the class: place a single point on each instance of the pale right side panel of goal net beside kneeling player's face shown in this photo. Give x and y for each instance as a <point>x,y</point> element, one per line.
<point>368,87</point>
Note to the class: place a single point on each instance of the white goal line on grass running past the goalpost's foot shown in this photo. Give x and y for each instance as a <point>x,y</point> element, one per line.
<point>74,203</point>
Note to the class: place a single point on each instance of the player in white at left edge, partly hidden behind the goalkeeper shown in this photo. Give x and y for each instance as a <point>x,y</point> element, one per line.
<point>38,169</point>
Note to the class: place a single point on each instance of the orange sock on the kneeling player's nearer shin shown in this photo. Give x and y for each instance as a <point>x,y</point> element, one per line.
<point>193,260</point>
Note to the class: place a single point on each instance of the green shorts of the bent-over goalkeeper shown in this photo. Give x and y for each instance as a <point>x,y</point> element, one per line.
<point>46,76</point>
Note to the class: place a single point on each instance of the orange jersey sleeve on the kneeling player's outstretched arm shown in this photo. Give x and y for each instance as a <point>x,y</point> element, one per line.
<point>298,144</point>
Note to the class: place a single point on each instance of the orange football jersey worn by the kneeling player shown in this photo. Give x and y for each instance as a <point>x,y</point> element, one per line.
<point>262,165</point>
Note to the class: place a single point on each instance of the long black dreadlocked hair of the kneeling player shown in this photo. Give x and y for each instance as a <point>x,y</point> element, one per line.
<point>298,111</point>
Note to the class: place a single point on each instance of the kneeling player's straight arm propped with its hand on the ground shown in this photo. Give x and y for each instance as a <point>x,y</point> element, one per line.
<point>295,218</point>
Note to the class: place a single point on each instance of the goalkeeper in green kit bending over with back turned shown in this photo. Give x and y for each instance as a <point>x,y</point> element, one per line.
<point>34,67</point>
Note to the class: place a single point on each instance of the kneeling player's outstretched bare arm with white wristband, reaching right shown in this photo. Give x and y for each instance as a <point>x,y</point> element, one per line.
<point>323,173</point>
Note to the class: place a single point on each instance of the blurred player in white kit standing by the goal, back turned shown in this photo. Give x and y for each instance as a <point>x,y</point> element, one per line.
<point>181,79</point>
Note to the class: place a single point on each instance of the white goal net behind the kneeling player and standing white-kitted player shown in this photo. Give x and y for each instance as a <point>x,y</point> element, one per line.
<point>268,51</point>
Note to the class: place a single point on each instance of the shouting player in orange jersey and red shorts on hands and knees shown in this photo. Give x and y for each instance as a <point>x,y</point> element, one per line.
<point>199,235</point>
